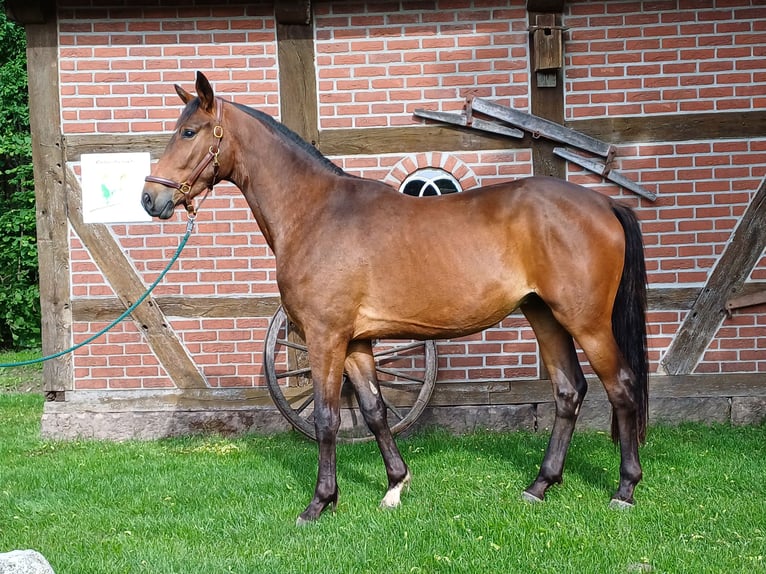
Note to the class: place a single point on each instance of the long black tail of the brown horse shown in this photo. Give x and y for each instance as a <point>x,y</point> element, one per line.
<point>629,316</point>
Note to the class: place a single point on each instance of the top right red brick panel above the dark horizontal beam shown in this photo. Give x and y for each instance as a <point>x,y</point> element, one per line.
<point>670,56</point>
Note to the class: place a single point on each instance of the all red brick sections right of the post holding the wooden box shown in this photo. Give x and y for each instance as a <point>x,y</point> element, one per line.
<point>682,56</point>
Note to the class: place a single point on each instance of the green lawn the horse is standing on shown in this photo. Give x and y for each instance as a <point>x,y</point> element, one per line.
<point>213,504</point>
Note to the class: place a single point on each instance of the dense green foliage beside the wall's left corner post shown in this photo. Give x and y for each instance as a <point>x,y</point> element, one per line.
<point>19,290</point>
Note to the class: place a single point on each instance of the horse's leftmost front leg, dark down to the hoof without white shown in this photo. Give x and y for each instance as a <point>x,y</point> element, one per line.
<point>327,375</point>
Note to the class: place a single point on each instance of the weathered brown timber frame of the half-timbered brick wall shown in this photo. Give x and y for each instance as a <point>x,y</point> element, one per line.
<point>59,197</point>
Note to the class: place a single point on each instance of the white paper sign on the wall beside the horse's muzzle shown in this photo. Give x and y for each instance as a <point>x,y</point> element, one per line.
<point>112,185</point>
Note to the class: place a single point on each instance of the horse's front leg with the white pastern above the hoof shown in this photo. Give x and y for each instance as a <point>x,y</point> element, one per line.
<point>360,368</point>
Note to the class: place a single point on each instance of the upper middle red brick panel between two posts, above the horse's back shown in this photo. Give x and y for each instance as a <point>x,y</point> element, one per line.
<point>376,66</point>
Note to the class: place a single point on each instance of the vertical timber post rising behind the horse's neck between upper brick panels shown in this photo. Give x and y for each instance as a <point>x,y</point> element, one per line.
<point>297,79</point>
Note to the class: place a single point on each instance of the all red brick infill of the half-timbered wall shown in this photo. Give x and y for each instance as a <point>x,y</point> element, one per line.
<point>373,68</point>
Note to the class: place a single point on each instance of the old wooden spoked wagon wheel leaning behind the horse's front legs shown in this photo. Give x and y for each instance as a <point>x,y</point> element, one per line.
<point>406,372</point>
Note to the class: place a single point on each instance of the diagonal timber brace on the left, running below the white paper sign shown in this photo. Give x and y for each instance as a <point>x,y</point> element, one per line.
<point>118,271</point>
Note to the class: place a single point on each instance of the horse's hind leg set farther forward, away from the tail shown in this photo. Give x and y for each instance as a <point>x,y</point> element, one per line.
<point>569,388</point>
